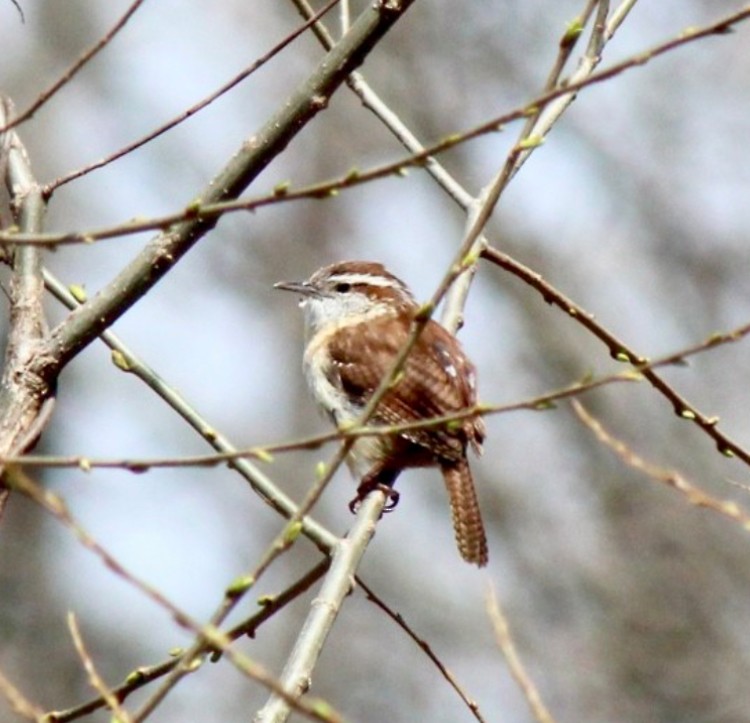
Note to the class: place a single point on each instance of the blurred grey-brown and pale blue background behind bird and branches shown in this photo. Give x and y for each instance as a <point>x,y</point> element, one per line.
<point>626,603</point>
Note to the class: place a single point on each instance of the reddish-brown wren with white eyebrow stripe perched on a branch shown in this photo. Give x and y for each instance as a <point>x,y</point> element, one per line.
<point>358,317</point>
